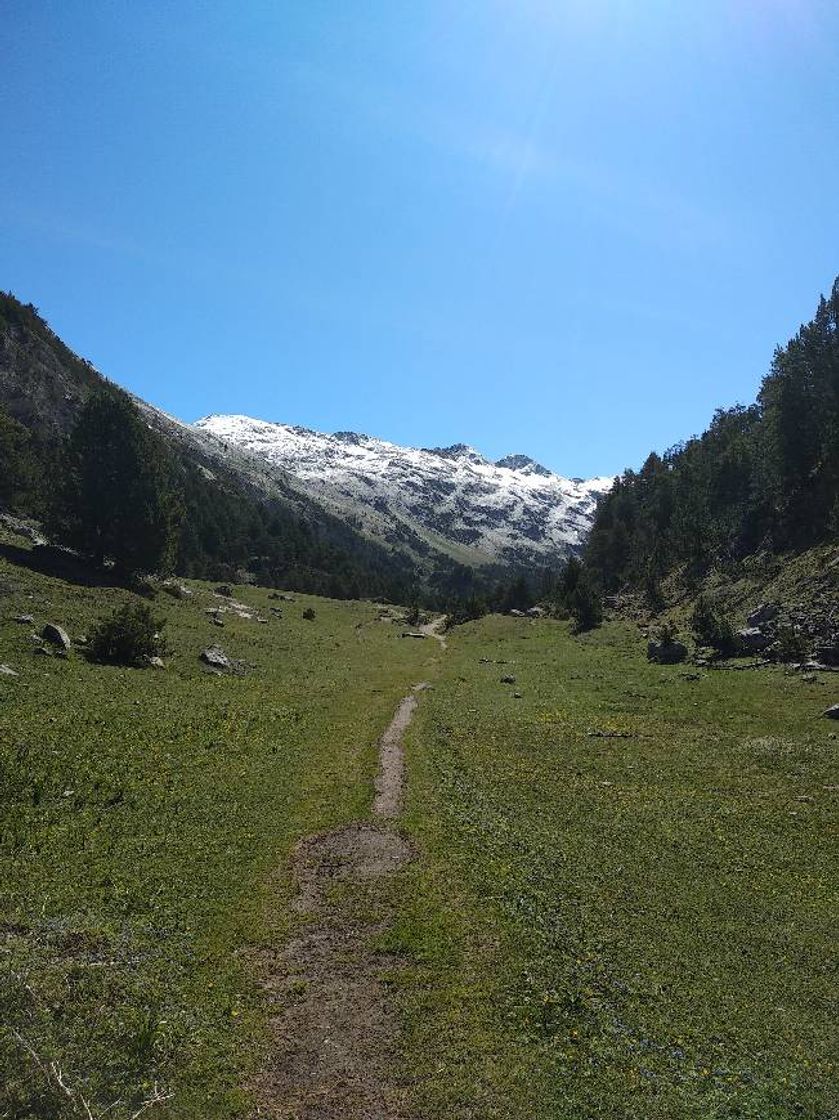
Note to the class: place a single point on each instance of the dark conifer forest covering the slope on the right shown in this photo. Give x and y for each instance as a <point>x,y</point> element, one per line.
<point>765,477</point>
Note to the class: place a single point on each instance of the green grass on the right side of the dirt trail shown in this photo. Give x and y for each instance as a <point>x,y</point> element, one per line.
<point>635,926</point>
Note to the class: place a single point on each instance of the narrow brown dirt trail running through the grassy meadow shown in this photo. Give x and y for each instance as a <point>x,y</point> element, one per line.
<point>333,1032</point>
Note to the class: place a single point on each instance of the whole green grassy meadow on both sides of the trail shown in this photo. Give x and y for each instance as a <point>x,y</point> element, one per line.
<point>623,904</point>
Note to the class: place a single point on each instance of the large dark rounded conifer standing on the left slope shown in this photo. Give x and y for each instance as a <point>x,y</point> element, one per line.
<point>118,499</point>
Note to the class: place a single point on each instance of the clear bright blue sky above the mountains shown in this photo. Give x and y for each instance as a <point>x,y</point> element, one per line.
<point>566,228</point>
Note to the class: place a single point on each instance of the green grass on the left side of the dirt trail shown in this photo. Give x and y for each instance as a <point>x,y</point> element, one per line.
<point>145,816</point>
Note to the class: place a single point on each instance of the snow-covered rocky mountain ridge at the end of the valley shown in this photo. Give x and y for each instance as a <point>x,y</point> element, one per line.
<point>450,499</point>
